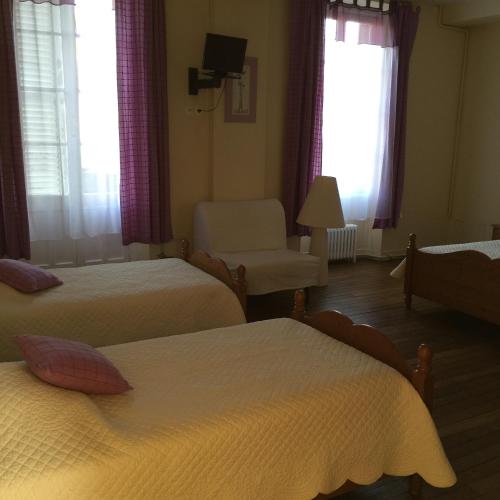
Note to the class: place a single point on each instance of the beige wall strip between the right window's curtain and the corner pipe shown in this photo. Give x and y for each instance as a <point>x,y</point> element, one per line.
<point>433,98</point>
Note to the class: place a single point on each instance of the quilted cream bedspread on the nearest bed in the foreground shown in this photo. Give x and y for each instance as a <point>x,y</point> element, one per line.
<point>271,410</point>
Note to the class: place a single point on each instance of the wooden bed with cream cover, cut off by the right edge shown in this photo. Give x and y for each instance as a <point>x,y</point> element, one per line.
<point>465,277</point>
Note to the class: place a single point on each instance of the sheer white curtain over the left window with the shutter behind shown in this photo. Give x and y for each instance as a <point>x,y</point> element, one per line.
<point>66,59</point>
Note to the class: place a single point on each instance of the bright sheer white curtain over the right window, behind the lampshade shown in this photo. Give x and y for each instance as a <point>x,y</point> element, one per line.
<point>355,118</point>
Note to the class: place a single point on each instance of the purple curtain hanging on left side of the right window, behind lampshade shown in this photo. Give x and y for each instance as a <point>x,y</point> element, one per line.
<point>304,122</point>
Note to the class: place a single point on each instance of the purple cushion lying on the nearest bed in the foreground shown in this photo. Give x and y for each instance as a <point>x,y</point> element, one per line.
<point>71,365</point>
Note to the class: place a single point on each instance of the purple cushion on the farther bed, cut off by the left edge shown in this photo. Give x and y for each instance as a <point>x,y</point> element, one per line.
<point>26,277</point>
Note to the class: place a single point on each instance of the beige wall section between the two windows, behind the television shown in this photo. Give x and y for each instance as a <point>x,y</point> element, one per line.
<point>211,159</point>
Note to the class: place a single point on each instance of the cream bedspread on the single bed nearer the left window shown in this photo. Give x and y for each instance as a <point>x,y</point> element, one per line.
<point>116,303</point>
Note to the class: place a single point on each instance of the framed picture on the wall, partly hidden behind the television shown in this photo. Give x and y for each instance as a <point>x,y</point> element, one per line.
<point>241,95</point>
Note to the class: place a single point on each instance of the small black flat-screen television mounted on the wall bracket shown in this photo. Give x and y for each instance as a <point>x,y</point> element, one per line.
<point>224,54</point>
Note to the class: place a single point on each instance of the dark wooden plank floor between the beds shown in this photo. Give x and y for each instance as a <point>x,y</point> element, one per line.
<point>466,370</point>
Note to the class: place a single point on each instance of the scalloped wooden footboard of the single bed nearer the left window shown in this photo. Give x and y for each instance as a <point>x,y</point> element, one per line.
<point>218,269</point>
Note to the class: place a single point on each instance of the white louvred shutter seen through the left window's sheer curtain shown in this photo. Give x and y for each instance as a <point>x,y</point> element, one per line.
<point>43,102</point>
